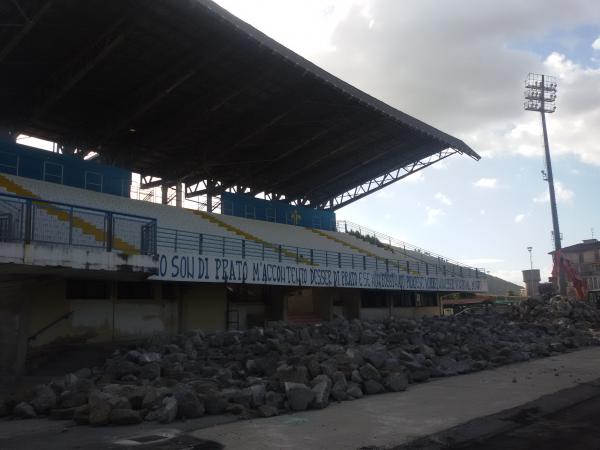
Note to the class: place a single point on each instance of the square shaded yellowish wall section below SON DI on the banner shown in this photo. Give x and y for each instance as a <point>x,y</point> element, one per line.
<point>204,307</point>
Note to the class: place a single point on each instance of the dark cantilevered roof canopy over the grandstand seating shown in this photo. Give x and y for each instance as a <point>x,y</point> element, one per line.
<point>183,90</point>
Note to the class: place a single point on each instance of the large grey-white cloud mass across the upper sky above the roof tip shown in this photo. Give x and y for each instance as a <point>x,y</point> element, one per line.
<point>371,45</point>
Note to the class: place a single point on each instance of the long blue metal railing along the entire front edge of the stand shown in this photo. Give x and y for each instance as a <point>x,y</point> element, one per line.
<point>34,220</point>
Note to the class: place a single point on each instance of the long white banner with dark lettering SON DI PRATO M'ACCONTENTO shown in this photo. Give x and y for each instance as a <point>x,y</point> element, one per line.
<point>212,269</point>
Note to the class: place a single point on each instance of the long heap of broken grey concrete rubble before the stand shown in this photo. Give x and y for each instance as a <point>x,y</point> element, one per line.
<point>265,372</point>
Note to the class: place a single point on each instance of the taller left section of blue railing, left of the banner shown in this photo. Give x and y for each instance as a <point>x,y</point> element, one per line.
<point>29,220</point>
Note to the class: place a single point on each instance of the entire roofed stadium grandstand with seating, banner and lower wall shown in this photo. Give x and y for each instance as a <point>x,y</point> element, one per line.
<point>263,144</point>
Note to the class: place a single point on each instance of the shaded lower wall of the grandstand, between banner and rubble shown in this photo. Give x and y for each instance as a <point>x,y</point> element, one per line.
<point>45,313</point>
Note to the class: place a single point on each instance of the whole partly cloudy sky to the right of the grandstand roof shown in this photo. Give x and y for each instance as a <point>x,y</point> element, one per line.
<point>459,65</point>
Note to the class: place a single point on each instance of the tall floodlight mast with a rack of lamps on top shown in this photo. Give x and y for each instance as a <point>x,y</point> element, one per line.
<point>540,95</point>
